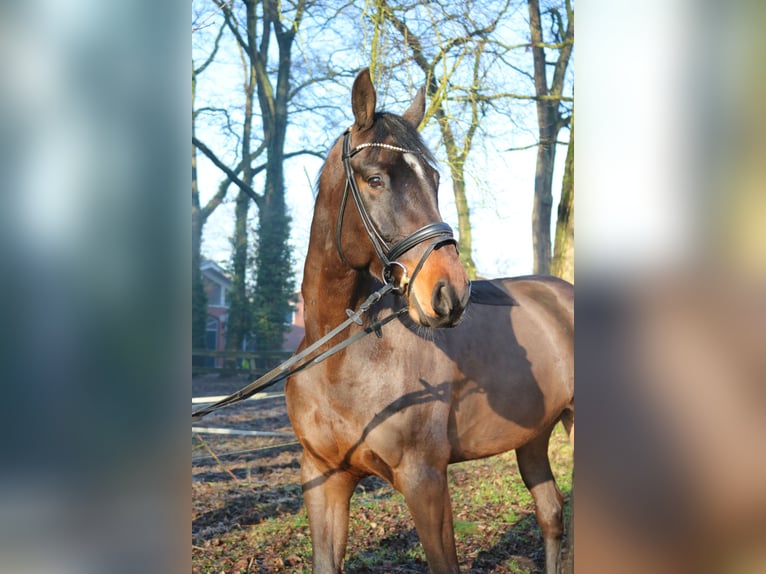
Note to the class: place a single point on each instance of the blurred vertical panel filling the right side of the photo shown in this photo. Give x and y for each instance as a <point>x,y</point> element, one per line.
<point>671,262</point>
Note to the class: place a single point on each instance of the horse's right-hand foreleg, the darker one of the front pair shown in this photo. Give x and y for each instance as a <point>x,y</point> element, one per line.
<point>427,495</point>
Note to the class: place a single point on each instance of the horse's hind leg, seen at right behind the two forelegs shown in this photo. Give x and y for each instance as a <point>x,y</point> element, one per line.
<point>536,472</point>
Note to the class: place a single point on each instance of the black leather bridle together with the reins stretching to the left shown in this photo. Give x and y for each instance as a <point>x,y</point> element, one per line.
<point>438,233</point>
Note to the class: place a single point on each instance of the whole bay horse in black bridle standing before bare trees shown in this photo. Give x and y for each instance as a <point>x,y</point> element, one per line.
<point>451,379</point>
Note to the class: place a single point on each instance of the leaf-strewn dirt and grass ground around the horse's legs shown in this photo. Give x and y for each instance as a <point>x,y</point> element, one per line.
<point>248,514</point>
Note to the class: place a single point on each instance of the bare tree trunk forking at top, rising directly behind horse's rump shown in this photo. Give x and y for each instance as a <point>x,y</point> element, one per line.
<point>550,118</point>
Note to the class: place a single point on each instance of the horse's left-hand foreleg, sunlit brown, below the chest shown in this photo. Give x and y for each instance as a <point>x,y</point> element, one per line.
<point>327,493</point>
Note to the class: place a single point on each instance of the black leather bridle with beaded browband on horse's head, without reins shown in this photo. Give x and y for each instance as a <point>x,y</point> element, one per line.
<point>439,233</point>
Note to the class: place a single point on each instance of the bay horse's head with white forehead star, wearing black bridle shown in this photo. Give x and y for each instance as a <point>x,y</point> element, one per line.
<point>391,227</point>
